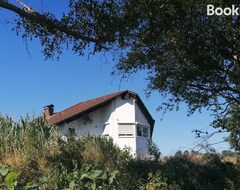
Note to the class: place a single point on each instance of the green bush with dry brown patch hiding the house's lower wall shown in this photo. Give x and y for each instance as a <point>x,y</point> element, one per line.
<point>96,151</point>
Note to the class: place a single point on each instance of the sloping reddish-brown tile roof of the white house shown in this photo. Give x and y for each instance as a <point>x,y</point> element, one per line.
<point>81,107</point>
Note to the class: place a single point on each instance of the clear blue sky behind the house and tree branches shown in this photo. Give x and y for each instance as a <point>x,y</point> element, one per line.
<point>28,83</point>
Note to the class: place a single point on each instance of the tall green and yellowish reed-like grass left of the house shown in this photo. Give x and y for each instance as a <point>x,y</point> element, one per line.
<point>29,138</point>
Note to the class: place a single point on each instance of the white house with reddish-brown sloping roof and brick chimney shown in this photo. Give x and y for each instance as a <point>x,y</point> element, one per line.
<point>121,115</point>
